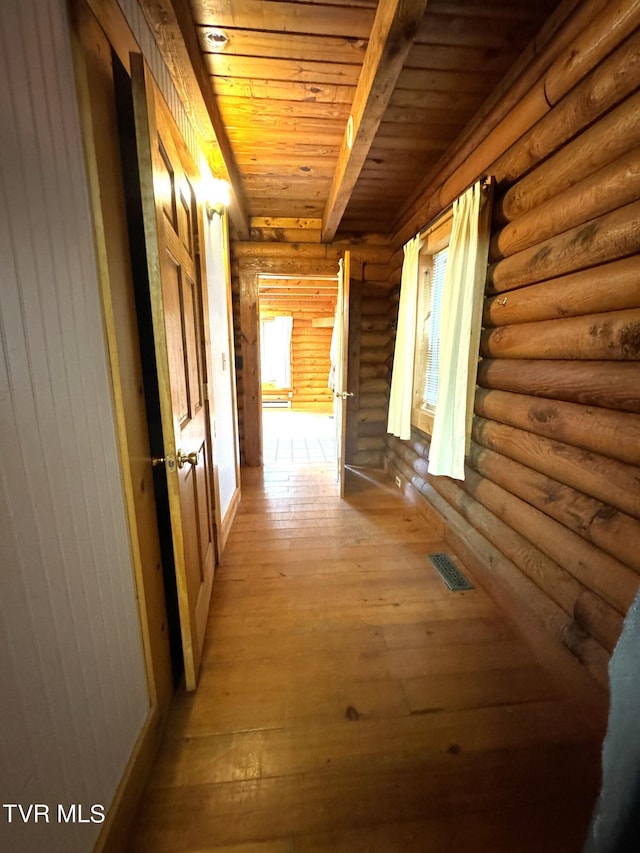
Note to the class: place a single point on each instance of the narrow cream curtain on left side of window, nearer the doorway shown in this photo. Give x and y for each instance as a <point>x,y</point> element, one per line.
<point>400,400</point>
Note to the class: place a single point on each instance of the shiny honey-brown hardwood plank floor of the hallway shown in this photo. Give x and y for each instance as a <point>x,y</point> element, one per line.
<point>349,702</point>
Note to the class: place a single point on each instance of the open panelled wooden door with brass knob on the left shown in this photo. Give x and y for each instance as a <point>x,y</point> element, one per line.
<point>167,178</point>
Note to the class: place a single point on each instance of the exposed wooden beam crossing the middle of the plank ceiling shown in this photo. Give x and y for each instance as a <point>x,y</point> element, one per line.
<point>394,28</point>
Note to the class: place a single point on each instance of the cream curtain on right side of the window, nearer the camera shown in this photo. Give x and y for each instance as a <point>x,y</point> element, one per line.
<point>460,326</point>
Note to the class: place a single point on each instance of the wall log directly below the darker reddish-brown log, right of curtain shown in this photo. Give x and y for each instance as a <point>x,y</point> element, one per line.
<point>611,433</point>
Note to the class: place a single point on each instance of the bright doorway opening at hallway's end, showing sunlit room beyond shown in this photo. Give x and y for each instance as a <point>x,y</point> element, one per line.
<point>297,316</point>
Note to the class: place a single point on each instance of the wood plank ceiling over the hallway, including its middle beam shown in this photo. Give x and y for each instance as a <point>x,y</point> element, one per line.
<point>286,76</point>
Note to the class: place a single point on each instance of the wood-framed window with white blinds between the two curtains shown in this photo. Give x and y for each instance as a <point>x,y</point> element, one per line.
<point>432,266</point>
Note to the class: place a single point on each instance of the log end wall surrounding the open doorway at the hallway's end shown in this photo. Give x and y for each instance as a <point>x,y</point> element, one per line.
<point>296,251</point>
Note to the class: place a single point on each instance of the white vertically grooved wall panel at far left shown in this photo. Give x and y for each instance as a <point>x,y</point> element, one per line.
<point>72,676</point>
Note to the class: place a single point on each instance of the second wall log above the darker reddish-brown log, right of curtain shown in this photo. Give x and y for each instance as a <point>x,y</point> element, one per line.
<point>608,287</point>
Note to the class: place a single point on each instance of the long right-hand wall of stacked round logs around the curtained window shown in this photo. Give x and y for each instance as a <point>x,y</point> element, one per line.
<point>552,482</point>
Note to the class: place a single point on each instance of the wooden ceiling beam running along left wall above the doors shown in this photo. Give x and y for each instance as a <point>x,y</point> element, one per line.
<point>177,39</point>
